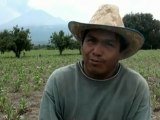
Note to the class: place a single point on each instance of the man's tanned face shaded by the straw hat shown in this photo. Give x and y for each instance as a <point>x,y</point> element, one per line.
<point>100,51</point>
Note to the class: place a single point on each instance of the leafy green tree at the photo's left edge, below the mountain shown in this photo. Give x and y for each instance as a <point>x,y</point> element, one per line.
<point>15,40</point>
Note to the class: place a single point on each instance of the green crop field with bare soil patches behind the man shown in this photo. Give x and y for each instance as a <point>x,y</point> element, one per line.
<point>22,80</point>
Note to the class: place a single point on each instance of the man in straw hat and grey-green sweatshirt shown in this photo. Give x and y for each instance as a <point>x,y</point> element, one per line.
<point>99,87</point>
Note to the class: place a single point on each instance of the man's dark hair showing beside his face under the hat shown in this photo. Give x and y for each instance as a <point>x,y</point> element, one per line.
<point>122,41</point>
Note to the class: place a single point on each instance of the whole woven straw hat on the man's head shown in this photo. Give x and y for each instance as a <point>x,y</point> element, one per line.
<point>107,17</point>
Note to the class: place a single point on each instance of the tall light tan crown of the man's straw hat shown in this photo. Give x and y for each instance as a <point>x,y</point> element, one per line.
<point>107,15</point>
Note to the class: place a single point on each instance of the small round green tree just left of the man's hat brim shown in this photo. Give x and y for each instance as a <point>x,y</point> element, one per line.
<point>60,40</point>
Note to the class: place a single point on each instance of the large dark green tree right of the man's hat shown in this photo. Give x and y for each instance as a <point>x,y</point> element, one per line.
<point>145,24</point>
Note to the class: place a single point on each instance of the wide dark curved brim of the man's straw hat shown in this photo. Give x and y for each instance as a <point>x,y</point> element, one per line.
<point>133,38</point>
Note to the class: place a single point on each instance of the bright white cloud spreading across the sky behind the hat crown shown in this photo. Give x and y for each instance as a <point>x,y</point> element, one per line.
<point>82,10</point>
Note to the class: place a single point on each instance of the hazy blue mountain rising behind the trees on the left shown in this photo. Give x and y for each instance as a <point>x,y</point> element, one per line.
<point>40,23</point>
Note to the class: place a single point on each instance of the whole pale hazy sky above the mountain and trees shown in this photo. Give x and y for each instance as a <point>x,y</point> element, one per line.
<point>80,10</point>
